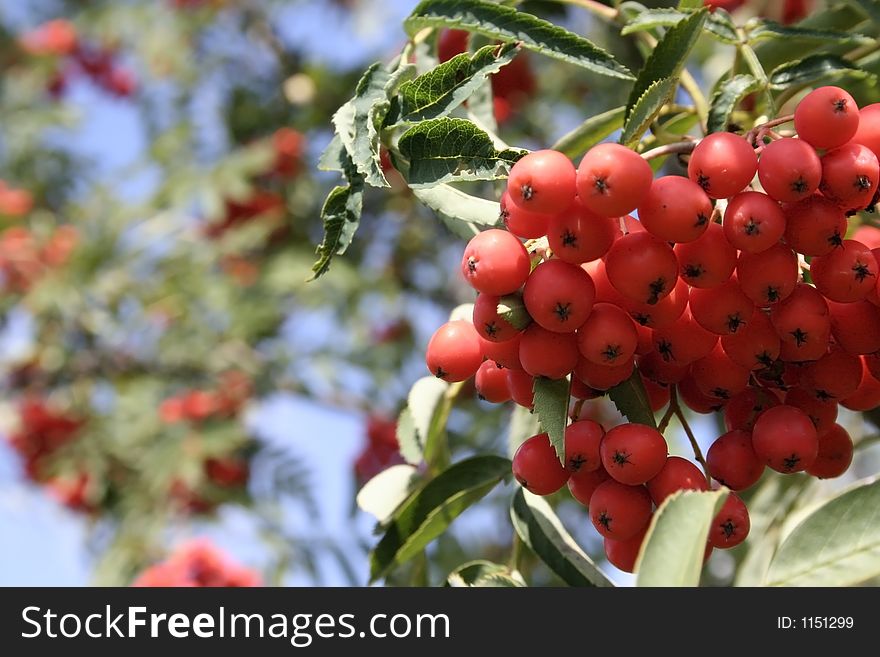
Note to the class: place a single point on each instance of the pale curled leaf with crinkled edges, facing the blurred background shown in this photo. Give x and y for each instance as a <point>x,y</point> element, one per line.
<point>355,126</point>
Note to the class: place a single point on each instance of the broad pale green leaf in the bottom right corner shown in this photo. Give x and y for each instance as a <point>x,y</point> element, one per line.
<point>837,545</point>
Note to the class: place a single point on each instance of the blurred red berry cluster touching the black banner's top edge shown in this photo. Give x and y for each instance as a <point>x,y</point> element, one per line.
<point>197,563</point>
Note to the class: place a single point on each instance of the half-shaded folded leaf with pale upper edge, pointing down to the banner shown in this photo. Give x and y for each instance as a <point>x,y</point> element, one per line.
<point>540,529</point>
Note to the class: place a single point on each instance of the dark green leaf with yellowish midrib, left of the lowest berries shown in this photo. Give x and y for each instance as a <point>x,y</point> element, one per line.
<point>427,512</point>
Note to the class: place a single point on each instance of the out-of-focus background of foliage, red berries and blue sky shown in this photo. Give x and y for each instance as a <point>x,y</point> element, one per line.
<point>153,308</point>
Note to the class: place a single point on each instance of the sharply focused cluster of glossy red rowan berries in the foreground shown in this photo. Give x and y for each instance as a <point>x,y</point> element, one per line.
<point>737,288</point>
